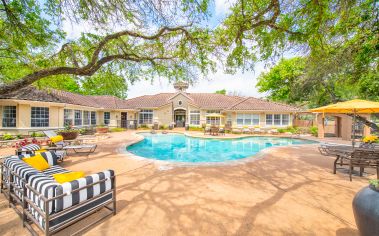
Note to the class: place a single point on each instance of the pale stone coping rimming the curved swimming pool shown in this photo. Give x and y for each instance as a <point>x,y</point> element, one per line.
<point>166,165</point>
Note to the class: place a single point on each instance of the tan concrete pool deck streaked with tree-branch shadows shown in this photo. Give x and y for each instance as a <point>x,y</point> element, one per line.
<point>289,191</point>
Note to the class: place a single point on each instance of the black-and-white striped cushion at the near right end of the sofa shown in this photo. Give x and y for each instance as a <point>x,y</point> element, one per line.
<point>82,195</point>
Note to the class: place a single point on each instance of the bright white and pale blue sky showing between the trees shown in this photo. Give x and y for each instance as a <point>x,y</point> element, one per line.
<point>239,83</point>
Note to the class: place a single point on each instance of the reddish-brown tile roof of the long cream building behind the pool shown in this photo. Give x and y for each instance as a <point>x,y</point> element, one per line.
<point>202,100</point>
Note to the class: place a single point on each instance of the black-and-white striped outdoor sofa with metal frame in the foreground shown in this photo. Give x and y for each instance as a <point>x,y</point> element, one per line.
<point>52,206</point>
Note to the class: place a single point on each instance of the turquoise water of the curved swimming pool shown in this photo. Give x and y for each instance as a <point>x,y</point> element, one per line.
<point>181,148</point>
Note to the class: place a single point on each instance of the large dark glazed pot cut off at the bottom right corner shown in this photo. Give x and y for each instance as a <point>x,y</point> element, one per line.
<point>366,209</point>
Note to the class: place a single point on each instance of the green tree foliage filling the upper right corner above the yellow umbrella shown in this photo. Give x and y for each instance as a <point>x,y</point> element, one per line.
<point>340,41</point>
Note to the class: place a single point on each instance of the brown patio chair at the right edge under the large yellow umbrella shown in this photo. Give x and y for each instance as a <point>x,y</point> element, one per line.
<point>363,158</point>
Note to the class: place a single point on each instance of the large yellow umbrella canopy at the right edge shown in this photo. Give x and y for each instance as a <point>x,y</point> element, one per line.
<point>352,106</point>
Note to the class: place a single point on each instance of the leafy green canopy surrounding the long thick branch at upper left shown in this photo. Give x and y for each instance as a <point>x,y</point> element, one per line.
<point>31,39</point>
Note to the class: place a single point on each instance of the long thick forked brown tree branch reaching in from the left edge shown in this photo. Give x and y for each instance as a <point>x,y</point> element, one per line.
<point>96,62</point>
